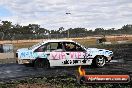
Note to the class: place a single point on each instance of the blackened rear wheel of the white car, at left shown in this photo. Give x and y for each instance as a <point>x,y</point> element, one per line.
<point>41,63</point>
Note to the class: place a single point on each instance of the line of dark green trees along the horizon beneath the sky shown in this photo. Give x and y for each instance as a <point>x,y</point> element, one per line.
<point>8,31</point>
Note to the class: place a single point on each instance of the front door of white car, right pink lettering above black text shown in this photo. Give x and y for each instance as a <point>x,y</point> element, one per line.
<point>75,54</point>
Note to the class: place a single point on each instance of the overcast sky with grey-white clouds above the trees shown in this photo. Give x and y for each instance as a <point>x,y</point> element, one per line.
<point>51,14</point>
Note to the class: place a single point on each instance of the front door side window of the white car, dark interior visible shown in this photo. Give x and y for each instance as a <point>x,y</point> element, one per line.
<point>72,47</point>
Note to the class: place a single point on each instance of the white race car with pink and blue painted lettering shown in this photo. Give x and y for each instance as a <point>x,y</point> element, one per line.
<point>51,53</point>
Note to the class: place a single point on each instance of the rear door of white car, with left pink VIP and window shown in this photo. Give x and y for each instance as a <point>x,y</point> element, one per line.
<point>57,54</point>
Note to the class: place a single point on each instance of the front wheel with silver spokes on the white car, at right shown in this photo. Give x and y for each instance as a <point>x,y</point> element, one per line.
<point>99,61</point>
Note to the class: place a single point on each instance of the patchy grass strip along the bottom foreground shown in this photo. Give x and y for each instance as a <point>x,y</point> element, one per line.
<point>64,81</point>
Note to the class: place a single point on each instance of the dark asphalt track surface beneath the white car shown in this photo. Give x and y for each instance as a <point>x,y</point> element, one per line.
<point>14,71</point>
